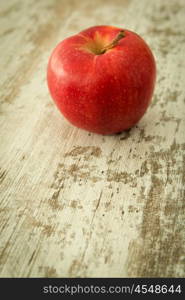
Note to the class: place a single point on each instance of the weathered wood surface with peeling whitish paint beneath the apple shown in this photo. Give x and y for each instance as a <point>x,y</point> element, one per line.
<point>75,204</point>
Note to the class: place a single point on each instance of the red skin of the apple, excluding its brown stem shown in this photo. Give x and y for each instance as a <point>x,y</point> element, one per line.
<point>102,93</point>
